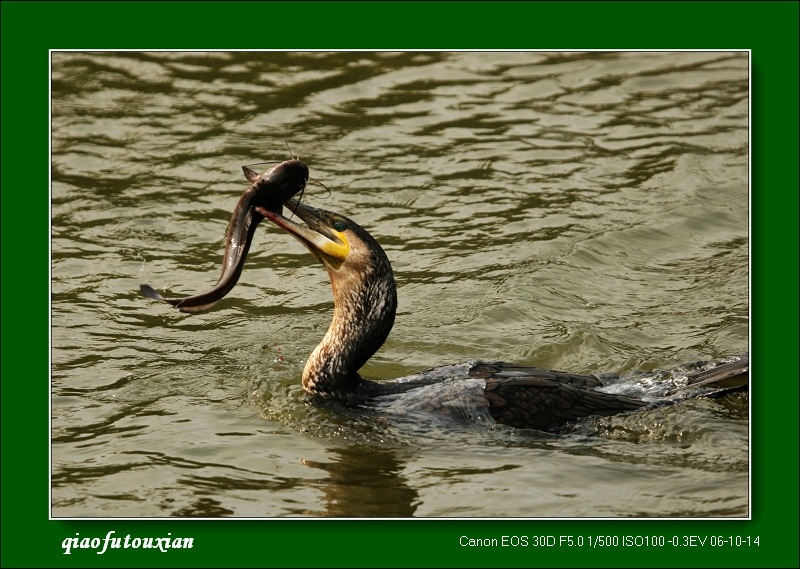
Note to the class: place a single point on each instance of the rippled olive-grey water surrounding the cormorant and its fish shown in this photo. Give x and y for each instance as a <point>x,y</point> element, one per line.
<point>576,211</point>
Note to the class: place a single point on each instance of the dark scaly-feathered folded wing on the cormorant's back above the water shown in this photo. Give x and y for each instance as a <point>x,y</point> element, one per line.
<point>541,399</point>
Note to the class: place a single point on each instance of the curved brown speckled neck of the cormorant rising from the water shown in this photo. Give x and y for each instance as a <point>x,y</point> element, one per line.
<point>365,303</point>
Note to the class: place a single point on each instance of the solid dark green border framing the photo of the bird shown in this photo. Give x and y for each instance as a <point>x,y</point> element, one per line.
<point>770,29</point>
